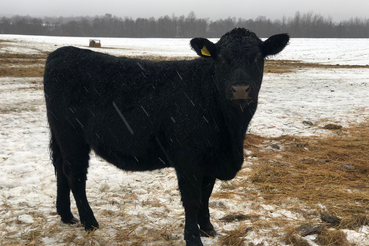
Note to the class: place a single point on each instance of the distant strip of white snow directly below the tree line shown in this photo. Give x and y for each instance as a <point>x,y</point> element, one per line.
<point>327,51</point>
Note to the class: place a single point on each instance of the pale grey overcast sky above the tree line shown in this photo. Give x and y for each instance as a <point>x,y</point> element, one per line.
<point>213,9</point>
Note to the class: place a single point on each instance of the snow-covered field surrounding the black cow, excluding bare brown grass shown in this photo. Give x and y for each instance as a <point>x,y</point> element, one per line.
<point>150,201</point>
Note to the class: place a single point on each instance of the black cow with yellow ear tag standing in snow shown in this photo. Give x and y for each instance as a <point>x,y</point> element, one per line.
<point>142,115</point>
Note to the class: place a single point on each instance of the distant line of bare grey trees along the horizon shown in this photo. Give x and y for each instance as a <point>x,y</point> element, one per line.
<point>302,25</point>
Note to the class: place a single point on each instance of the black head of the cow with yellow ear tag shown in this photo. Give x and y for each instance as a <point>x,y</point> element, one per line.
<point>238,59</point>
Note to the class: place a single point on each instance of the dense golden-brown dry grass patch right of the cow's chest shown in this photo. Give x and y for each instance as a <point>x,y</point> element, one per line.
<point>333,170</point>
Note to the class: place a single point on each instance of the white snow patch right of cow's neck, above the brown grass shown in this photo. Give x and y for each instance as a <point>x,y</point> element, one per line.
<point>318,95</point>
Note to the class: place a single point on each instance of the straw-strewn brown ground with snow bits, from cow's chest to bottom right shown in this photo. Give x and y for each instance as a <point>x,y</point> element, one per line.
<point>322,179</point>
